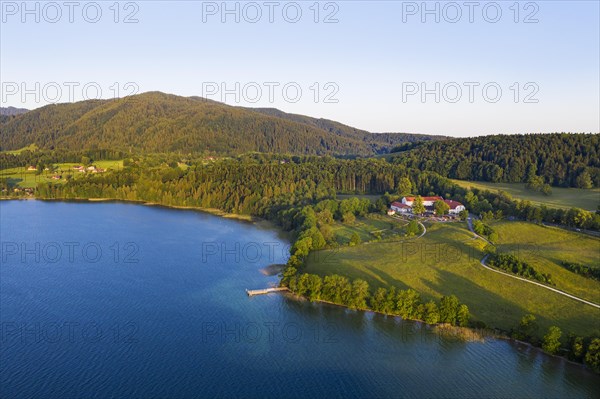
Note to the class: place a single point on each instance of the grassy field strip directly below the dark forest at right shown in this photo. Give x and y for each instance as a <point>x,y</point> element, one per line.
<point>561,197</point>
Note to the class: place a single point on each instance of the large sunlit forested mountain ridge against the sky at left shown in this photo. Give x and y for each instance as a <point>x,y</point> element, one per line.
<point>158,122</point>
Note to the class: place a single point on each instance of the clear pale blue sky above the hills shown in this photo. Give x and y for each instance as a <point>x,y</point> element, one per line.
<point>373,56</point>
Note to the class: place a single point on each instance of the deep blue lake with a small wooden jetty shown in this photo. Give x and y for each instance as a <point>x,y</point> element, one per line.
<point>122,300</point>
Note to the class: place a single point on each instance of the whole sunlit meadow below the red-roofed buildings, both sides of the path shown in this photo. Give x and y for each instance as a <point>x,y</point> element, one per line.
<point>447,261</point>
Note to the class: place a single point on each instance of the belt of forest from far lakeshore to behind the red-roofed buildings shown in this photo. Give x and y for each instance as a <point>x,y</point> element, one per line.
<point>261,185</point>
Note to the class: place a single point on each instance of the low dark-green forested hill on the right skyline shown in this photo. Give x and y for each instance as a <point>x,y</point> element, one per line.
<point>560,159</point>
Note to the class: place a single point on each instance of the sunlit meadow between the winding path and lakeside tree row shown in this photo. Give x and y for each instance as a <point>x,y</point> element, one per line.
<point>447,262</point>
